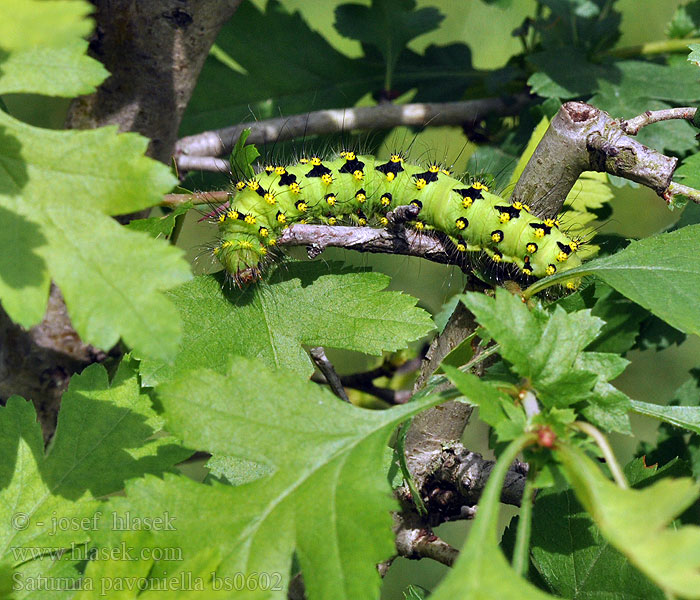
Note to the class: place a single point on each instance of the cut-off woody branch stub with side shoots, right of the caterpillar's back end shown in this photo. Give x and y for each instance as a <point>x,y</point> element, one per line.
<point>583,138</point>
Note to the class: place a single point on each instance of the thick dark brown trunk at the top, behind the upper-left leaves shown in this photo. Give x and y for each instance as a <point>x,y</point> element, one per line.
<point>165,43</point>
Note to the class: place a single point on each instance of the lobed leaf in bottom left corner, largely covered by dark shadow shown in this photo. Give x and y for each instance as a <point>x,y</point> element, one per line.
<point>100,423</point>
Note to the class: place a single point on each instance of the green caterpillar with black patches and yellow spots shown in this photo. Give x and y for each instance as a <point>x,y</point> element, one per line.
<point>362,190</point>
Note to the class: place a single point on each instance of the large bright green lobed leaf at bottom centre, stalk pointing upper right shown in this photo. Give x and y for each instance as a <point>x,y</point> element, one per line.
<point>323,497</point>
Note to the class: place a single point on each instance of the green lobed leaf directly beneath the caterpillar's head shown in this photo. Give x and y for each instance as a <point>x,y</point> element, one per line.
<point>301,303</point>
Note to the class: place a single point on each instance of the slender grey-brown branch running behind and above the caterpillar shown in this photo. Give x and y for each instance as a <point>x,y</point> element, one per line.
<point>217,143</point>
